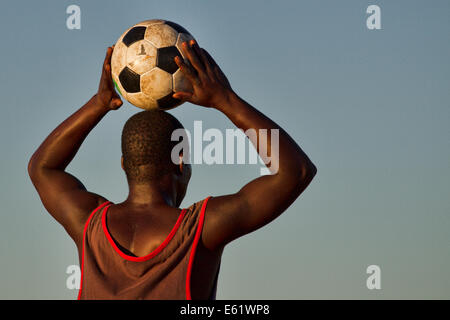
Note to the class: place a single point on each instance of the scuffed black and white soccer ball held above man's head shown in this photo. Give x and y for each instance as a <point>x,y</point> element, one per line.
<point>143,68</point>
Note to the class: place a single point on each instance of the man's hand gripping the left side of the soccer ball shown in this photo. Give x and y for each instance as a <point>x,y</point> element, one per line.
<point>107,95</point>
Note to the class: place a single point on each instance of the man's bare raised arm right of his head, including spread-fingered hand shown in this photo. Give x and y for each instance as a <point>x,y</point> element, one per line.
<point>265,198</point>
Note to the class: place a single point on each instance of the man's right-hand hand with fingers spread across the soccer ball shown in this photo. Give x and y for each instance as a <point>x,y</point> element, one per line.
<point>211,86</point>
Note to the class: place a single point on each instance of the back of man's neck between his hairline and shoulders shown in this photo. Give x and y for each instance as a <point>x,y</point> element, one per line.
<point>152,193</point>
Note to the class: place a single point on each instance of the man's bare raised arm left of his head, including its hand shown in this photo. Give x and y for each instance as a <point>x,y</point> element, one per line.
<point>63,195</point>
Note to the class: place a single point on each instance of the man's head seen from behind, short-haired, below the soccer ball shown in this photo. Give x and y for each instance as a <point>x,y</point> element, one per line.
<point>147,149</point>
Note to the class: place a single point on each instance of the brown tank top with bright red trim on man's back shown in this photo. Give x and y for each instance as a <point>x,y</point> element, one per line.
<point>165,273</point>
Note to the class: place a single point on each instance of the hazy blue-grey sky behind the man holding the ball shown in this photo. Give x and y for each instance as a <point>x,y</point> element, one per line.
<point>370,107</point>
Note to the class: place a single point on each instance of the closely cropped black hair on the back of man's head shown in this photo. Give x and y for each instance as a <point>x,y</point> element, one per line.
<point>147,145</point>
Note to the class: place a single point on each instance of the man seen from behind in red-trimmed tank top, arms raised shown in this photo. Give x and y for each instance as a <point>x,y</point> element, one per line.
<point>146,247</point>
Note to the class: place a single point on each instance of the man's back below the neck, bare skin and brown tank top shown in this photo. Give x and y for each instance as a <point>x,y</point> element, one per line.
<point>122,259</point>
